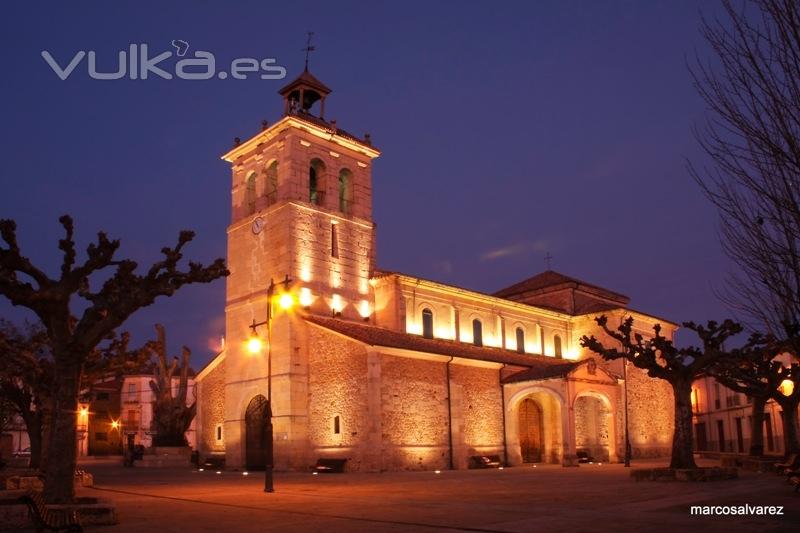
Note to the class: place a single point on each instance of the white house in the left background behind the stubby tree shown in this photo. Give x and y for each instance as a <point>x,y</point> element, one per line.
<point>136,408</point>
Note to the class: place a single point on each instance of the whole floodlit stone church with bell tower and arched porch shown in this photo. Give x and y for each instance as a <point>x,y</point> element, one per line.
<point>386,369</point>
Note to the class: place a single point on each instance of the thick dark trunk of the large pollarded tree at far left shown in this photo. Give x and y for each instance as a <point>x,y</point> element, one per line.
<point>62,457</point>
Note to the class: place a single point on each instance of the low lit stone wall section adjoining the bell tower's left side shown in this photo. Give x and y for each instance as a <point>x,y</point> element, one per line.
<point>211,403</point>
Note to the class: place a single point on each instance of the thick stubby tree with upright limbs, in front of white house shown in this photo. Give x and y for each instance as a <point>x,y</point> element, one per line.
<point>171,415</point>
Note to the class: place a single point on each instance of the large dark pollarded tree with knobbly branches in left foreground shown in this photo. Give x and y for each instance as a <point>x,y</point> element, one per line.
<point>121,292</point>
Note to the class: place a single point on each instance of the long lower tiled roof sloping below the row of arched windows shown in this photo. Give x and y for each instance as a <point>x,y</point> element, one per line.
<point>376,336</point>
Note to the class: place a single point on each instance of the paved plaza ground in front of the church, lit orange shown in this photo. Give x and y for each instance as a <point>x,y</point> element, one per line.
<point>545,498</point>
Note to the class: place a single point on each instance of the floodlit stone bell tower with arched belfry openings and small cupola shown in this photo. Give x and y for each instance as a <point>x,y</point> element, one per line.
<point>301,209</point>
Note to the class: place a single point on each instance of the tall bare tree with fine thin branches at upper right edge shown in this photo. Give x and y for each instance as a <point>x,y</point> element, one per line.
<point>752,137</point>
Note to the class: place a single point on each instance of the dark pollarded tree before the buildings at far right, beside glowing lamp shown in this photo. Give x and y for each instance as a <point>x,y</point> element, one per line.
<point>754,371</point>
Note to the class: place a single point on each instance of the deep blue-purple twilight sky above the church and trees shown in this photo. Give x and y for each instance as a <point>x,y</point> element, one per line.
<point>508,130</point>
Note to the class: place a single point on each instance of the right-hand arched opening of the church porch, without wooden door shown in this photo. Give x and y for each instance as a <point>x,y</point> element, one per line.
<point>593,427</point>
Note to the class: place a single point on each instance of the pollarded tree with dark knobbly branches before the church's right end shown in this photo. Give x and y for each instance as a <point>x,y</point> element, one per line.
<point>678,366</point>
